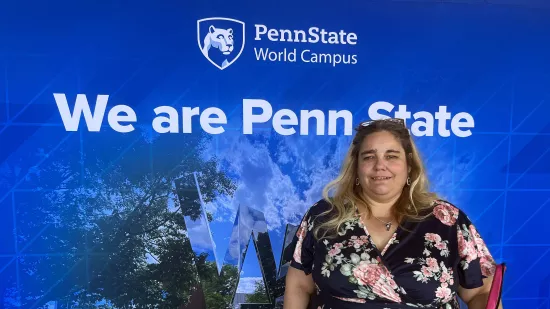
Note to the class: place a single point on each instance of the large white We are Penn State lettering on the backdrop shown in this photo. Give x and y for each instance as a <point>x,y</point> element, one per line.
<point>284,121</point>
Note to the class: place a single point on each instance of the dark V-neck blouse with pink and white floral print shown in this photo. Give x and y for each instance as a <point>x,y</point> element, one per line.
<point>421,266</point>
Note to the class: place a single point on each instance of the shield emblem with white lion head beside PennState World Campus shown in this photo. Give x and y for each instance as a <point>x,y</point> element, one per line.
<point>221,40</point>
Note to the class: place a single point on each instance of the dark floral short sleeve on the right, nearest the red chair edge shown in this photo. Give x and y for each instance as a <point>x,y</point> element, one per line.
<point>475,260</point>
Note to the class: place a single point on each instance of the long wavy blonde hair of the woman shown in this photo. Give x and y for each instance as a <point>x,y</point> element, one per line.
<point>415,200</point>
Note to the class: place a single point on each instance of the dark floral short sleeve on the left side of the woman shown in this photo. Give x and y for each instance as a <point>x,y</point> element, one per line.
<point>303,245</point>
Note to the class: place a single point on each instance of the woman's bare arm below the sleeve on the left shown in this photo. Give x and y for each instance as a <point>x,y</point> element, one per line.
<point>298,289</point>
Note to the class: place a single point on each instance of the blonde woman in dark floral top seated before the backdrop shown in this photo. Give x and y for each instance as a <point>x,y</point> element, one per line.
<point>382,240</point>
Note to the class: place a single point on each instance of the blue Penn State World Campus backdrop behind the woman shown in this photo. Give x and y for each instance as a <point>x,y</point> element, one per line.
<point>98,213</point>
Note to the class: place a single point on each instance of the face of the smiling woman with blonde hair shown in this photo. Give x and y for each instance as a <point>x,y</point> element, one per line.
<point>382,166</point>
